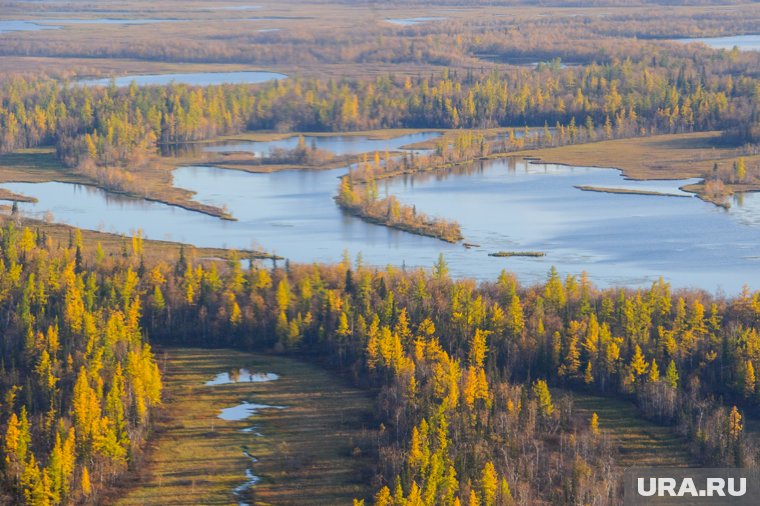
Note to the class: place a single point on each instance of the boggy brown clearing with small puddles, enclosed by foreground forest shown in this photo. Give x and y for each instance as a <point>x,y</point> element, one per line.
<point>313,452</point>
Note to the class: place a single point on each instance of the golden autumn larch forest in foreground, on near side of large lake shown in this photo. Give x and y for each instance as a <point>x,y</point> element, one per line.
<point>464,371</point>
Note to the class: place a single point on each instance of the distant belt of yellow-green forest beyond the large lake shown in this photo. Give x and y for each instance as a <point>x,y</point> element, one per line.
<point>106,134</point>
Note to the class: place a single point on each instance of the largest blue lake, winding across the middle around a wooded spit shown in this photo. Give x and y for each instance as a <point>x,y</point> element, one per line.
<point>509,205</point>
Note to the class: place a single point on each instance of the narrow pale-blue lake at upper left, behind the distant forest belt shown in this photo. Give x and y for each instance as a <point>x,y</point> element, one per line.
<point>192,78</point>
